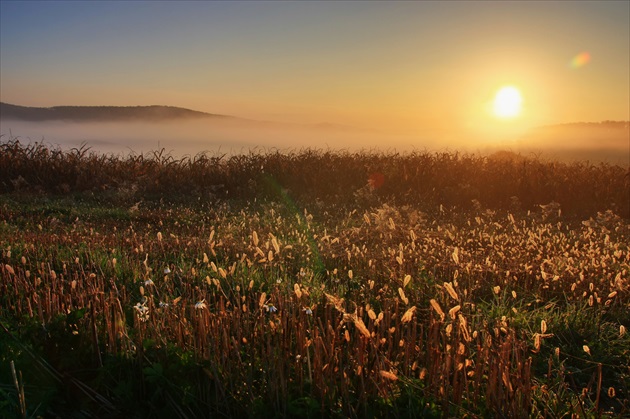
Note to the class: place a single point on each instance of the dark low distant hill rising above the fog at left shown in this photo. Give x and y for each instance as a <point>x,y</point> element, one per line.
<point>102,113</point>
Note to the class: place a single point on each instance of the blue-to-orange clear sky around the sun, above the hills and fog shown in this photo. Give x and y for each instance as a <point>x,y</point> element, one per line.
<point>412,66</point>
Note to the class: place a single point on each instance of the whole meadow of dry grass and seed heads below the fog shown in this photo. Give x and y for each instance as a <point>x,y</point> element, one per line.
<point>312,284</point>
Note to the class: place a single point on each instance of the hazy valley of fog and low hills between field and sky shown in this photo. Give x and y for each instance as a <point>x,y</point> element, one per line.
<point>142,129</point>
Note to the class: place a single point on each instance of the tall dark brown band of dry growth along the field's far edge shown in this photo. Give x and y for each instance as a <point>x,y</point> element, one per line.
<point>323,178</point>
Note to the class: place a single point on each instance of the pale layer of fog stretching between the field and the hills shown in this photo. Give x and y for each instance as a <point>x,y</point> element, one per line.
<point>181,138</point>
